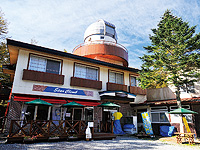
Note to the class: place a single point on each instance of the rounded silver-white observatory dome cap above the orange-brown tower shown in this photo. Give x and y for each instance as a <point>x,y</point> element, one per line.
<point>101,27</point>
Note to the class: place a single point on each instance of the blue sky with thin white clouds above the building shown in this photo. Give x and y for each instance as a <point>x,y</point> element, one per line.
<point>60,24</point>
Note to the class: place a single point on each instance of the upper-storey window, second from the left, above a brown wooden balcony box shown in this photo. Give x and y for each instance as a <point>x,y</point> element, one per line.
<point>86,72</point>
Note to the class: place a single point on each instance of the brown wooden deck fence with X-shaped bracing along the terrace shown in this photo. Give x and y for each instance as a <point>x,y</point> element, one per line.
<point>47,128</point>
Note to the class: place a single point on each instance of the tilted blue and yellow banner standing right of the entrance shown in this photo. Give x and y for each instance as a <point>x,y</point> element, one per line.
<point>147,123</point>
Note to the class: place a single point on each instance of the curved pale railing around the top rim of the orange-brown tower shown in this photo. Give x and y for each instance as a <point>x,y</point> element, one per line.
<point>100,42</point>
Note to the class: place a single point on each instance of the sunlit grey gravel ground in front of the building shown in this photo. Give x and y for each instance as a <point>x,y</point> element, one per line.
<point>120,142</point>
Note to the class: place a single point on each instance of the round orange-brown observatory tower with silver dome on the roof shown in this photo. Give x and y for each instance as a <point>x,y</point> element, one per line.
<point>100,42</point>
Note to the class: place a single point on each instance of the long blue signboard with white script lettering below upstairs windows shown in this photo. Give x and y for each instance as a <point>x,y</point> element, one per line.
<point>52,89</point>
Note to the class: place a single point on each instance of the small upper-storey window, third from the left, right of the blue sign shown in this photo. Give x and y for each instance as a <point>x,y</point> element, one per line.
<point>115,77</point>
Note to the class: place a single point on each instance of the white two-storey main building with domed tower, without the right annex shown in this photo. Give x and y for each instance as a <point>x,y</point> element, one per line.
<point>95,72</point>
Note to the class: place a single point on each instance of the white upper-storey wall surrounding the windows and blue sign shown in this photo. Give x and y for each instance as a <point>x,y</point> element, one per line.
<point>26,86</point>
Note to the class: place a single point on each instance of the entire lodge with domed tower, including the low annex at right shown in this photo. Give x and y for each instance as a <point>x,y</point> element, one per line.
<point>96,72</point>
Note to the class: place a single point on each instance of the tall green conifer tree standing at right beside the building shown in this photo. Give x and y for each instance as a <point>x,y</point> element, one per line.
<point>173,57</point>
